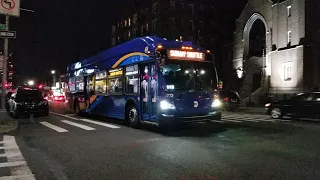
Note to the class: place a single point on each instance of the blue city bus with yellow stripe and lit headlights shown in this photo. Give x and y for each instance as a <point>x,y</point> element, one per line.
<point>148,80</point>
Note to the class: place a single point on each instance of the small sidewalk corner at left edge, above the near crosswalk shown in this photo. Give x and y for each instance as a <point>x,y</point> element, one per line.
<point>6,122</point>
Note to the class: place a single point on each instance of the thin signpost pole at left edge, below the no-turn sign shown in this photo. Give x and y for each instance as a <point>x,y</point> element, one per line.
<point>5,66</point>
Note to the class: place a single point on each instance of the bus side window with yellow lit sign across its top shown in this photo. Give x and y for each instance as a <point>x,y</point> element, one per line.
<point>115,81</point>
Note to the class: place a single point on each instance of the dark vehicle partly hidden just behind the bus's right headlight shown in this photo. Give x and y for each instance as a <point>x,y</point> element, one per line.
<point>230,100</point>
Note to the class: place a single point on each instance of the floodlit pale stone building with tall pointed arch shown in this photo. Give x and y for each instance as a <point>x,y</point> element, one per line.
<point>276,48</point>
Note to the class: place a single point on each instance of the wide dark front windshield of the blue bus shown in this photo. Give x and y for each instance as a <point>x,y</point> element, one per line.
<point>188,75</point>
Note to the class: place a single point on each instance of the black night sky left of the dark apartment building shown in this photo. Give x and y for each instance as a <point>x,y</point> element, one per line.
<point>59,33</point>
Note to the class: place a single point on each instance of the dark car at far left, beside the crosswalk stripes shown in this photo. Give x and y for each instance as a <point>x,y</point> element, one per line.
<point>27,101</point>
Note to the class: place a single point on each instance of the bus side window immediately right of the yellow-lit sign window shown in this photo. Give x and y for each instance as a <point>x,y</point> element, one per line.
<point>132,79</point>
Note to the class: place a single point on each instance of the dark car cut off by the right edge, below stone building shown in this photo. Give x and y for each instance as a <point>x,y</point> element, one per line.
<point>303,105</point>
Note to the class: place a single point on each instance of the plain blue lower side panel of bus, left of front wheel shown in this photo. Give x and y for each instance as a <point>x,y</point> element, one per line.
<point>112,106</point>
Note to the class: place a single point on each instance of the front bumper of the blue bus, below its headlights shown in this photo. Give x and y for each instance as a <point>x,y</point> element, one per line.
<point>166,118</point>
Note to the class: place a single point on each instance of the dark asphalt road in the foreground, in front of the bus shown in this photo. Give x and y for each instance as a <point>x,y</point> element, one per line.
<point>110,150</point>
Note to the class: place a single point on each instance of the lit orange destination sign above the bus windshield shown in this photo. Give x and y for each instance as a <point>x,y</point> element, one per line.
<point>186,55</point>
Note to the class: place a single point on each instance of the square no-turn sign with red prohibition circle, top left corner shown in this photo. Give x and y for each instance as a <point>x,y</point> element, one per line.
<point>10,7</point>
